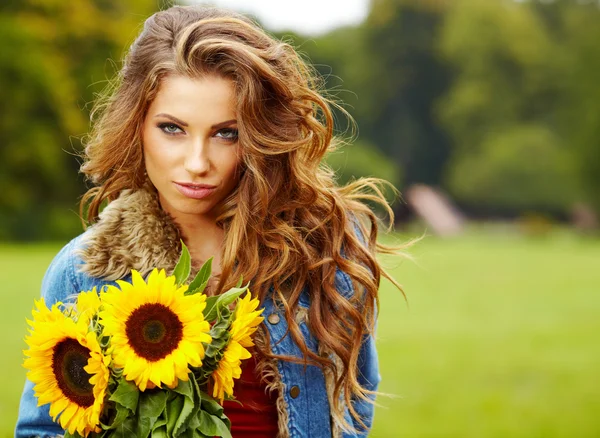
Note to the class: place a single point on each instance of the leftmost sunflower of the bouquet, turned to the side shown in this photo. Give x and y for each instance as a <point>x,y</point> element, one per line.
<point>67,368</point>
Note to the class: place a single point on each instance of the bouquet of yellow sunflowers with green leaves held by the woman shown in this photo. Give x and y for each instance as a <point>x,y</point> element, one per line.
<point>152,357</point>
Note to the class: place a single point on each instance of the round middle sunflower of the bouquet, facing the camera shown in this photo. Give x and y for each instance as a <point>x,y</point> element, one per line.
<point>156,331</point>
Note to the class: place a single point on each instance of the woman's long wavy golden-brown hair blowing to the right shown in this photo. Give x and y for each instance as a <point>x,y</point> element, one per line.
<point>288,224</point>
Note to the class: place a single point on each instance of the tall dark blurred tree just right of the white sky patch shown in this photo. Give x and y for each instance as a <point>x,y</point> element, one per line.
<point>405,78</point>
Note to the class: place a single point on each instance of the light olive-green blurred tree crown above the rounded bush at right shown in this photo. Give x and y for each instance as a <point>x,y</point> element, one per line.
<point>502,76</point>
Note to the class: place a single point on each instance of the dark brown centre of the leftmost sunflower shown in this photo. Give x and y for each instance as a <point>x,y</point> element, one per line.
<point>68,361</point>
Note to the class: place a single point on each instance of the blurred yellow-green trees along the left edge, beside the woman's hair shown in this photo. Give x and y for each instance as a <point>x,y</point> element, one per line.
<point>53,60</point>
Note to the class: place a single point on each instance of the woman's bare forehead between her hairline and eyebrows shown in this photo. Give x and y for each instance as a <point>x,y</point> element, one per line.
<point>182,96</point>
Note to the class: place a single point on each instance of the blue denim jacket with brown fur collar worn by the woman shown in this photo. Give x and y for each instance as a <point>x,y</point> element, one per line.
<point>303,393</point>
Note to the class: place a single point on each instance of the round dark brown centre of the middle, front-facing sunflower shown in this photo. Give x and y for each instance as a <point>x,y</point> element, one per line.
<point>153,331</point>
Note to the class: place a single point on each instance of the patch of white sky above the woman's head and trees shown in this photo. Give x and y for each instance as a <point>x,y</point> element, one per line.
<point>307,17</point>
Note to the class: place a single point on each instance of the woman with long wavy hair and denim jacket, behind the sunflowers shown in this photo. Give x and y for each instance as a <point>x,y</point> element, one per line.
<point>214,133</point>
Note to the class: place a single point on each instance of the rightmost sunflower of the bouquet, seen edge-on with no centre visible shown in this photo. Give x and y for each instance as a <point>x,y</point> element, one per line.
<point>245,322</point>
